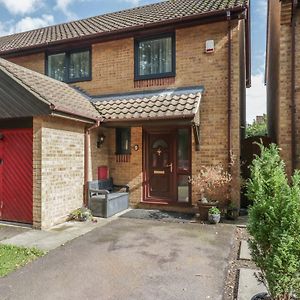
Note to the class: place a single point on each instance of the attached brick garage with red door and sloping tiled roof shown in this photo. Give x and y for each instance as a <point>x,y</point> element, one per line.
<point>44,142</point>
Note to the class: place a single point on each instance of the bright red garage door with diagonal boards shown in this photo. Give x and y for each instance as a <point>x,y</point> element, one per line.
<point>16,175</point>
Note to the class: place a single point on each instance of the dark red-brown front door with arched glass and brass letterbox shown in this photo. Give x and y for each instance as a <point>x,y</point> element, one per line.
<point>160,167</point>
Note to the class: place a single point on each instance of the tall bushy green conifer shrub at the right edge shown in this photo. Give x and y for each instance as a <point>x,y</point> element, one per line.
<point>274,224</point>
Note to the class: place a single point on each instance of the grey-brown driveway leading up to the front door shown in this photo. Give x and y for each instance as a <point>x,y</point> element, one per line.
<point>130,259</point>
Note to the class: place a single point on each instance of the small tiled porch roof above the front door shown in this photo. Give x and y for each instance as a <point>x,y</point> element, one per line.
<point>163,104</point>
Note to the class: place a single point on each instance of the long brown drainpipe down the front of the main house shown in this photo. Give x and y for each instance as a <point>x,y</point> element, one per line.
<point>229,91</point>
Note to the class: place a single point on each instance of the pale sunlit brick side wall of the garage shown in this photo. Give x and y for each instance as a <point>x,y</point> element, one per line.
<point>58,169</point>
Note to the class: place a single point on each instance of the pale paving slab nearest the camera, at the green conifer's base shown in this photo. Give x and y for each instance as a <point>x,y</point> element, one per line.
<point>248,284</point>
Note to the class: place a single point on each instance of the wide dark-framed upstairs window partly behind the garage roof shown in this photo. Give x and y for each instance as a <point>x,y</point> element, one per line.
<point>70,66</point>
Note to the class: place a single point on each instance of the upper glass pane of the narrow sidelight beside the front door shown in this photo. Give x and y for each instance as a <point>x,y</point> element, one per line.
<point>183,149</point>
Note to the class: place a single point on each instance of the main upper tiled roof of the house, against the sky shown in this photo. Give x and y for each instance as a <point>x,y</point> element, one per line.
<point>130,19</point>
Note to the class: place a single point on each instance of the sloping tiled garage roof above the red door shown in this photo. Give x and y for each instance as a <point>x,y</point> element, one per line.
<point>55,95</point>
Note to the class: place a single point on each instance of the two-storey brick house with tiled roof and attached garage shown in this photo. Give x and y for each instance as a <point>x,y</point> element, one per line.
<point>153,92</point>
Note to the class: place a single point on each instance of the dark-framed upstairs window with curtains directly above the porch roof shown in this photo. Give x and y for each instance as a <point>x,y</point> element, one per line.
<point>155,57</point>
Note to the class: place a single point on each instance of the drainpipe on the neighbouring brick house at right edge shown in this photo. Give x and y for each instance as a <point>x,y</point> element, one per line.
<point>293,88</point>
